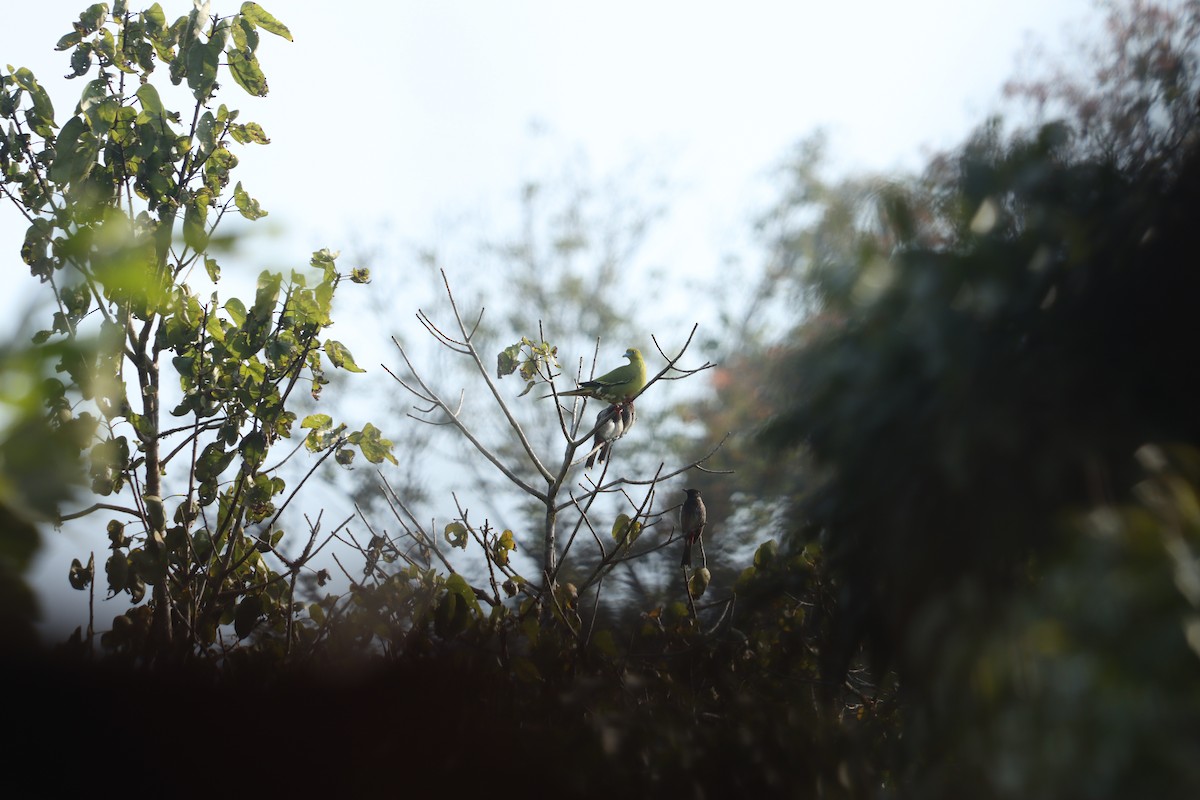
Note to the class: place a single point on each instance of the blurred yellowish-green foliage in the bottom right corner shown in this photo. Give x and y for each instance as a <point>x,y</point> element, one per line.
<point>1087,682</point>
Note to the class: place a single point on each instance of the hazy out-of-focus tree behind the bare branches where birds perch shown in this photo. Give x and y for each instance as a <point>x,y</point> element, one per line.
<point>569,263</point>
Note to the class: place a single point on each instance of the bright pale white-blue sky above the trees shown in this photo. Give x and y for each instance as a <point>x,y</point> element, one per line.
<point>404,113</point>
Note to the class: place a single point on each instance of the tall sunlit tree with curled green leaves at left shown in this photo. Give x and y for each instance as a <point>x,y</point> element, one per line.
<point>123,200</point>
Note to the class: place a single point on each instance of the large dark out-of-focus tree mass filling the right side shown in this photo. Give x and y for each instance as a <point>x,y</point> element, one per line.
<point>1023,341</point>
